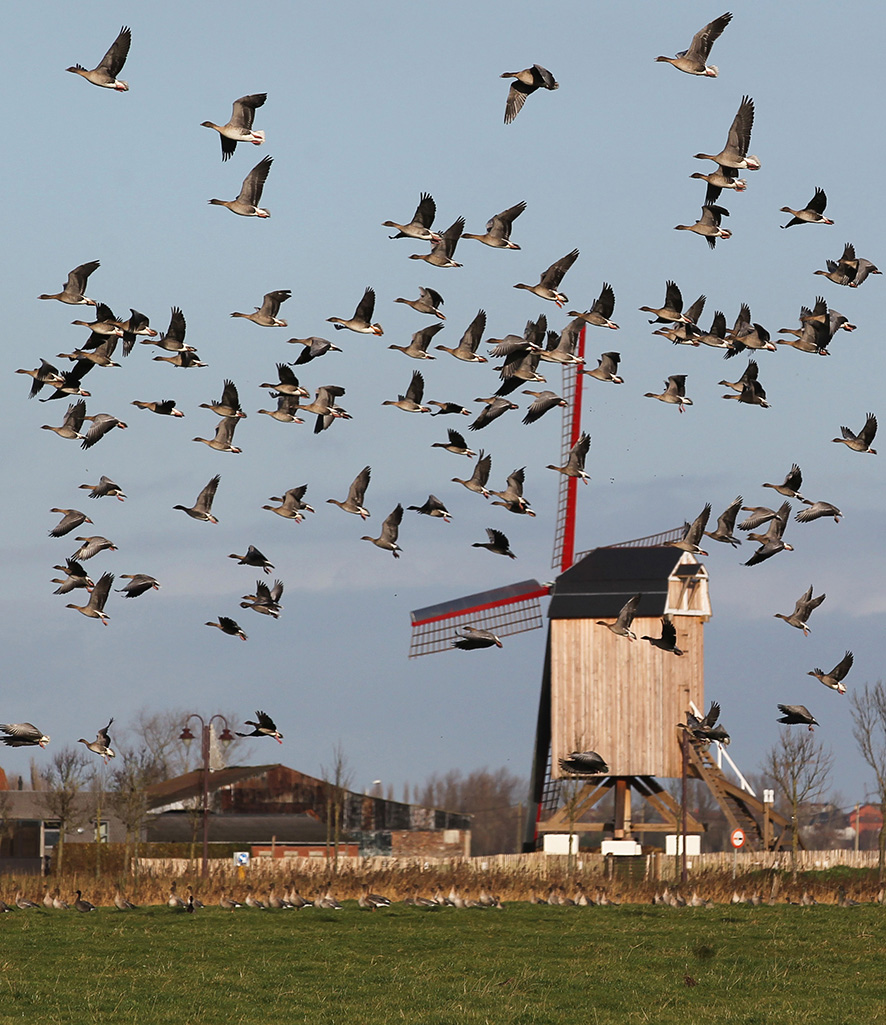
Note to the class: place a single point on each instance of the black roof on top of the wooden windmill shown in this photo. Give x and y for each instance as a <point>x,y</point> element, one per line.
<point>600,584</point>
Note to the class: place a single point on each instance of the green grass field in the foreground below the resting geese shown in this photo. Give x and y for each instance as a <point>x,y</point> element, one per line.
<point>541,965</point>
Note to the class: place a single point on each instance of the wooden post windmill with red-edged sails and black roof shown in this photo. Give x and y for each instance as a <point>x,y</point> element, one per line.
<point>623,699</point>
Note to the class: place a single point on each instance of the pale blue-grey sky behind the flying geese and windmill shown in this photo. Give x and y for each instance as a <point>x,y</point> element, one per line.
<point>368,107</point>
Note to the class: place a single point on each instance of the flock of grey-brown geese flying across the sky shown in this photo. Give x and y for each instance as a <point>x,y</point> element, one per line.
<point>525,357</point>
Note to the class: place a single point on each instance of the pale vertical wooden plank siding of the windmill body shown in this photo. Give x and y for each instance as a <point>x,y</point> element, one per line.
<point>622,699</point>
